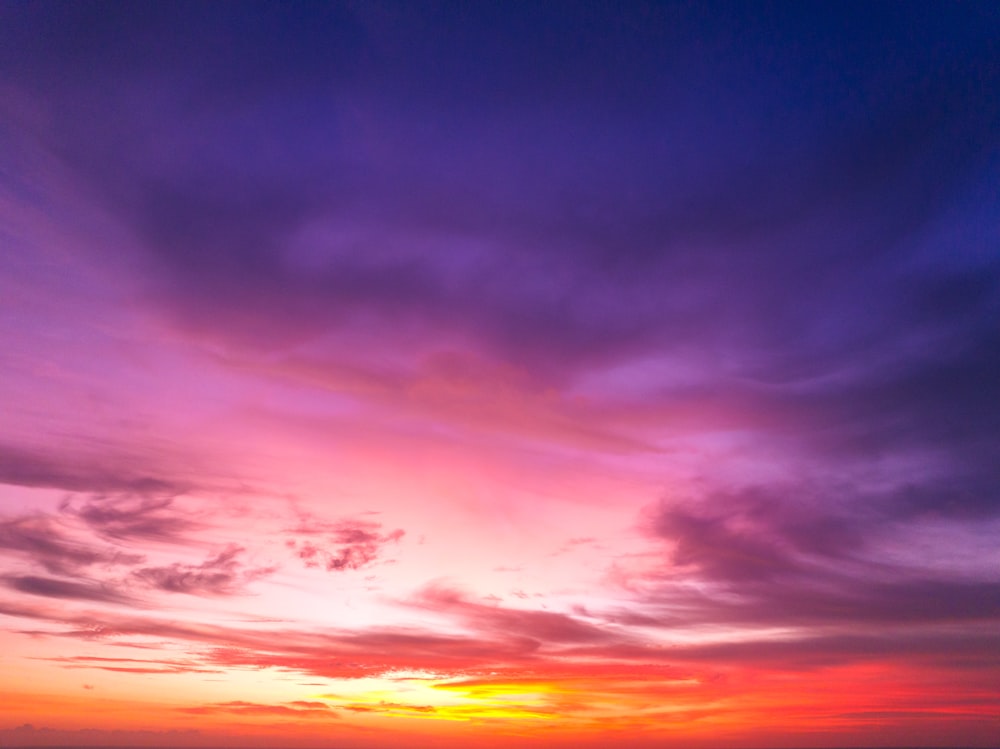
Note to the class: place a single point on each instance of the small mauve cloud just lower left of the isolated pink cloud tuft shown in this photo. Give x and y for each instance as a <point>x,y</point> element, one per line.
<point>220,575</point>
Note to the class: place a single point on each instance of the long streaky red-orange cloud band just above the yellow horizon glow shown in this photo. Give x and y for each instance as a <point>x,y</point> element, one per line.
<point>574,656</point>
